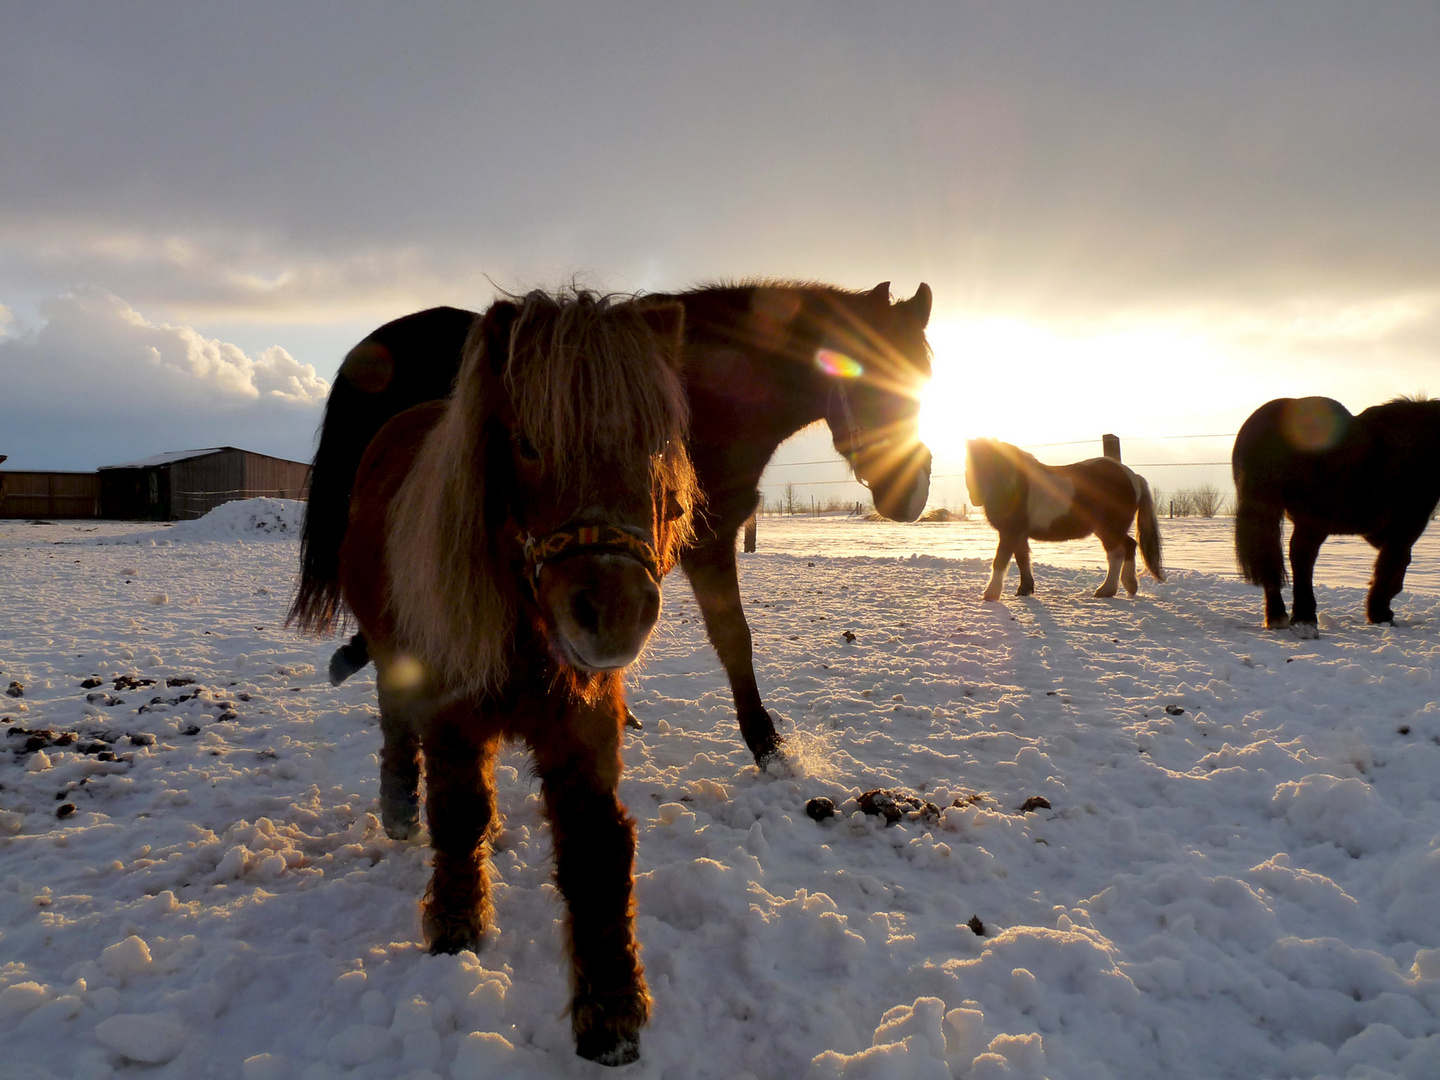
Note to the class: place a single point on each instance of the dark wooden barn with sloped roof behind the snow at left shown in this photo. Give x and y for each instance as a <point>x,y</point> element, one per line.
<point>188,485</point>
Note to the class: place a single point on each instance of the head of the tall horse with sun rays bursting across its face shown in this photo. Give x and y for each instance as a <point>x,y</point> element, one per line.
<point>876,361</point>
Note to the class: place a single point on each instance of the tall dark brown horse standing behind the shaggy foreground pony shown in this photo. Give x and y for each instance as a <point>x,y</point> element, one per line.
<point>761,362</point>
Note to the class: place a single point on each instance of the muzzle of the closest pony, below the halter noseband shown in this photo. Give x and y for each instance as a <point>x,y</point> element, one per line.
<point>603,607</point>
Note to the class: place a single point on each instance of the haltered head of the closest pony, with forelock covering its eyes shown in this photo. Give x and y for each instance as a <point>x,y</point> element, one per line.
<point>588,444</point>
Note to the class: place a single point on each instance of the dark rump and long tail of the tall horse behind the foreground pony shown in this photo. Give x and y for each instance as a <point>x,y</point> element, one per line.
<point>404,364</point>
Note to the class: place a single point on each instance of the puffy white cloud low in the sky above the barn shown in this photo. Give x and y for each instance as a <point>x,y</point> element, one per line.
<point>97,351</point>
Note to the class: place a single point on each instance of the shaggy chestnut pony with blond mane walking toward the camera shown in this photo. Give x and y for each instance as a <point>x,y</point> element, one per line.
<point>503,561</point>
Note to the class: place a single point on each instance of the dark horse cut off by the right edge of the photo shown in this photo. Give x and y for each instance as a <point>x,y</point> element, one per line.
<point>1307,459</point>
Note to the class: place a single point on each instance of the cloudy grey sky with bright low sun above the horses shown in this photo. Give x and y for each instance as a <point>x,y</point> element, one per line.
<point>1144,218</point>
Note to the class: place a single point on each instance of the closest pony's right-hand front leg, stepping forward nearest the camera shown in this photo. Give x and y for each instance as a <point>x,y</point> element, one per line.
<point>594,845</point>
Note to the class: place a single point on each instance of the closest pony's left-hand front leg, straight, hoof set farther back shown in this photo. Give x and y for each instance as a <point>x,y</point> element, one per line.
<point>460,809</point>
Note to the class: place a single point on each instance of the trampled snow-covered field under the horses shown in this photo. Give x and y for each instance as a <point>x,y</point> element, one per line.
<point>1229,866</point>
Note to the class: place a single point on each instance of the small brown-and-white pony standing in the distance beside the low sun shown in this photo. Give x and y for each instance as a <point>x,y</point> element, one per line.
<point>1027,502</point>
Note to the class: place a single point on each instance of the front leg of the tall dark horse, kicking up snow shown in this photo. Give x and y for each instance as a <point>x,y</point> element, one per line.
<point>715,580</point>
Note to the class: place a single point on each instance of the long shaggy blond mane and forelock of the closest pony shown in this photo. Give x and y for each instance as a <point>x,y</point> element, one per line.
<point>593,387</point>
